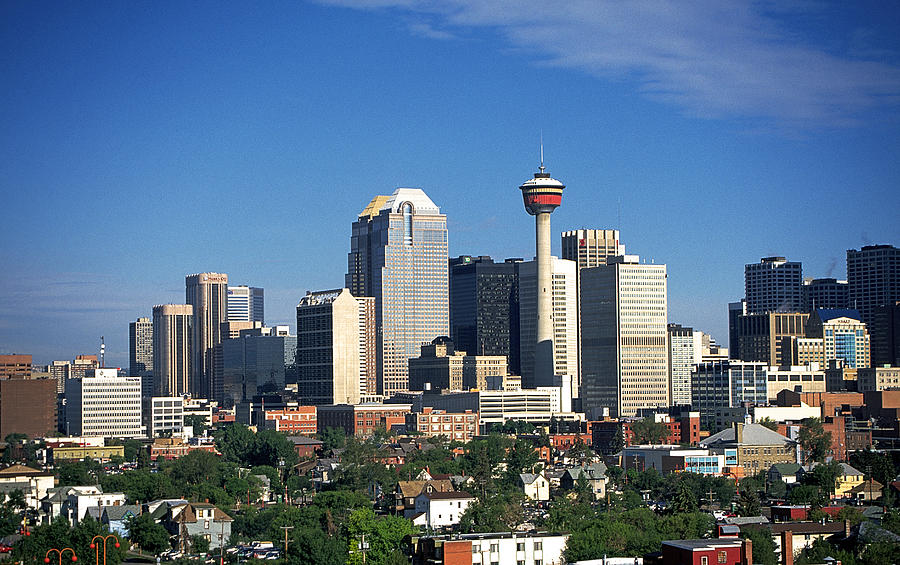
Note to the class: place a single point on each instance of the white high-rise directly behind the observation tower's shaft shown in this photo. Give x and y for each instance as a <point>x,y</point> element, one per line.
<point>564,304</point>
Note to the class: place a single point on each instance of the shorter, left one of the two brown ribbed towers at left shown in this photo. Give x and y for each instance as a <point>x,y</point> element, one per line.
<point>172,349</point>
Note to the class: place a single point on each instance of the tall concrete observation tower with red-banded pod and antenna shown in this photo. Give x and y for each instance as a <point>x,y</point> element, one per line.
<point>542,195</point>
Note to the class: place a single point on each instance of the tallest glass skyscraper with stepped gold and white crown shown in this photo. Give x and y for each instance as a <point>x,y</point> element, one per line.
<point>399,256</point>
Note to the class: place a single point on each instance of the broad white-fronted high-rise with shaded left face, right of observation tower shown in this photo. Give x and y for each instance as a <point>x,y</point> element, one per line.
<point>624,356</point>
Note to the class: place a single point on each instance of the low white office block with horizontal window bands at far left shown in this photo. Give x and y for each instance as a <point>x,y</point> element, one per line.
<point>104,404</point>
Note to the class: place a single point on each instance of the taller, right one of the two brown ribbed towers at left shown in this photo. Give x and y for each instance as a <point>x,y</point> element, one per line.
<point>208,294</point>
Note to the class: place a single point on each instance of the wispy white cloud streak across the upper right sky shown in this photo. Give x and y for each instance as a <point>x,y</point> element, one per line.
<point>712,59</point>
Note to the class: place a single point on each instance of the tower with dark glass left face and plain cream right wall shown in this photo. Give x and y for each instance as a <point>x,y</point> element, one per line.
<point>328,348</point>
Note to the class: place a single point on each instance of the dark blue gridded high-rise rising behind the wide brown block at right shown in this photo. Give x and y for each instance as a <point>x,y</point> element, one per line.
<point>773,285</point>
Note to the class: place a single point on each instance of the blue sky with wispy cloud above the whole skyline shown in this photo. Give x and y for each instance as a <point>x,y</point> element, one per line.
<point>141,142</point>
